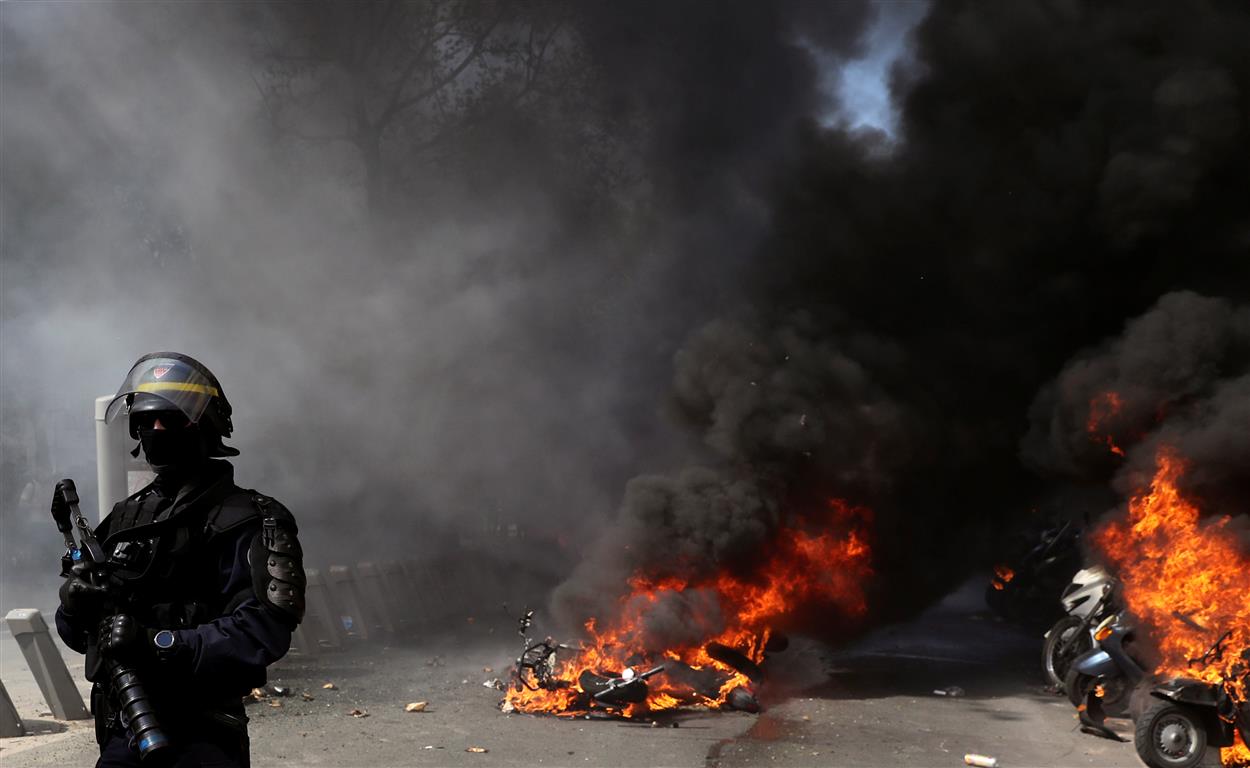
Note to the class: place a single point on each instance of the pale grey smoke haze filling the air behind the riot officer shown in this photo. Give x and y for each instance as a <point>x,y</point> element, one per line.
<point>469,330</point>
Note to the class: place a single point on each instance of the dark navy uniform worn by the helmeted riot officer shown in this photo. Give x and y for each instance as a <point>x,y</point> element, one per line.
<point>183,555</point>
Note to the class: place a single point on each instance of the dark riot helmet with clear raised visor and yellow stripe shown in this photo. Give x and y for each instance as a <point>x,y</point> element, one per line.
<point>179,385</point>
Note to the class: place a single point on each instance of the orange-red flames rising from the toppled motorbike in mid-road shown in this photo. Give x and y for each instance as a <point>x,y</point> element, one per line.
<point>802,570</point>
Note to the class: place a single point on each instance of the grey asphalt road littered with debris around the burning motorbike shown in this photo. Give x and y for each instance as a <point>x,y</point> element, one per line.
<point>869,706</point>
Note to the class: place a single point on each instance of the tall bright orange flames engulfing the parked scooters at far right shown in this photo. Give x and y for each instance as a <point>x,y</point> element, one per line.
<point>1173,565</point>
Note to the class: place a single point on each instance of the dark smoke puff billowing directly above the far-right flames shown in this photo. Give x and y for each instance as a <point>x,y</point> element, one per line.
<point>1181,378</point>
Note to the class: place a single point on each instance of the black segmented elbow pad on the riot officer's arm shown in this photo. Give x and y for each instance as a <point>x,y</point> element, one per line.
<point>278,562</point>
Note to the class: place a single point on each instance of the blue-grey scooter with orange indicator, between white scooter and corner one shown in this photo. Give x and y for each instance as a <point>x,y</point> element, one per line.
<point>1101,681</point>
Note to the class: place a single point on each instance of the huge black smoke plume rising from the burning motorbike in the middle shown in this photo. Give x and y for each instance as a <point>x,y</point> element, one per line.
<point>1058,168</point>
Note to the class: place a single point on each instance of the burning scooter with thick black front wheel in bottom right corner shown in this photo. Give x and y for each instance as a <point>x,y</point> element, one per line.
<point>1191,716</point>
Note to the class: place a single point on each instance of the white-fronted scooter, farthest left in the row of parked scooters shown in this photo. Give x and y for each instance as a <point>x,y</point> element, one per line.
<point>1089,600</point>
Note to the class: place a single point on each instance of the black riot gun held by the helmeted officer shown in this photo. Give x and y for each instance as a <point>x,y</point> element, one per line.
<point>89,557</point>
